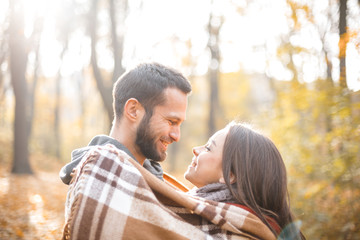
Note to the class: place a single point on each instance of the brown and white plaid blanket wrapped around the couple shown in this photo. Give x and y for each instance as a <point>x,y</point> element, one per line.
<point>111,196</point>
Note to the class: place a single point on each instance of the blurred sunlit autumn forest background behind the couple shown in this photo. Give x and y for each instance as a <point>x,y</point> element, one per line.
<point>289,67</point>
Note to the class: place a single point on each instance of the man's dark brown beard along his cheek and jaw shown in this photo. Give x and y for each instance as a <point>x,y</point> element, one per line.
<point>145,140</point>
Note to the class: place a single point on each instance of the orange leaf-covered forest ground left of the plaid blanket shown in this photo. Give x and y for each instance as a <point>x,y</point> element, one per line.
<point>31,206</point>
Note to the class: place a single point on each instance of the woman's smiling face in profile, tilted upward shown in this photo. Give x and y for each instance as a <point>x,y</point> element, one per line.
<point>206,165</point>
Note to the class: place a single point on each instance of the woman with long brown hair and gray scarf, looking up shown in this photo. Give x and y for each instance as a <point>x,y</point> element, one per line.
<point>240,166</point>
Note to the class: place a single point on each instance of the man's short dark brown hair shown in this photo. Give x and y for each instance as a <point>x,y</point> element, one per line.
<point>146,83</point>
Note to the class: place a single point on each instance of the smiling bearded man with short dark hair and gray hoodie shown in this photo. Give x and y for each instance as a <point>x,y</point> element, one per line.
<point>149,105</point>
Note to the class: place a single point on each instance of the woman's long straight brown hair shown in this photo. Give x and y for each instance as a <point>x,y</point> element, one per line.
<point>260,177</point>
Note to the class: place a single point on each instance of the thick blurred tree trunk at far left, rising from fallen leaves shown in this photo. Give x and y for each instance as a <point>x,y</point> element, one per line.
<point>18,62</point>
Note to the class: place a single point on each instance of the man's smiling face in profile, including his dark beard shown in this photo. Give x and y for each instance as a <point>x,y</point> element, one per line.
<point>156,132</point>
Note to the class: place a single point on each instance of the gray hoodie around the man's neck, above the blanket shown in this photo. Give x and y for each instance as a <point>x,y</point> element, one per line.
<point>78,154</point>
